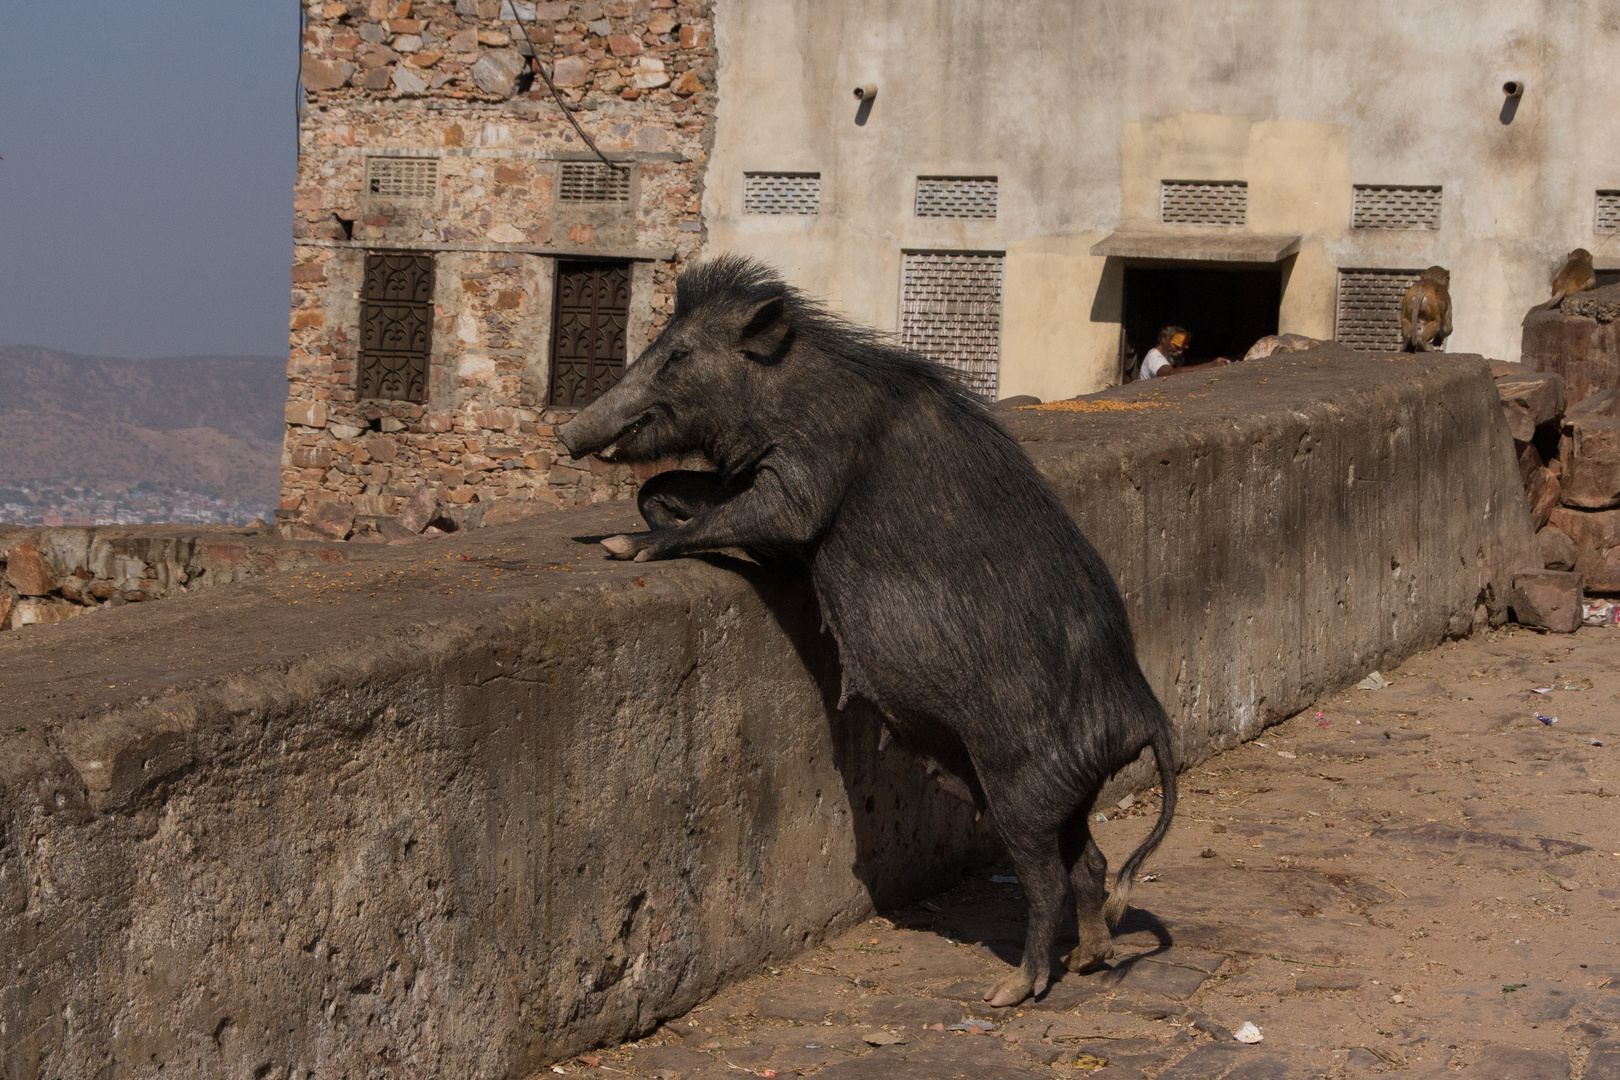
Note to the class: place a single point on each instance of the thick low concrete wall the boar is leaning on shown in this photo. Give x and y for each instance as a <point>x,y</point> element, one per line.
<point>469,806</point>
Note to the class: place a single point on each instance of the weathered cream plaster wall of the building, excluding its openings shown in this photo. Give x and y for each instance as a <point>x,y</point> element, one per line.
<point>1081,109</point>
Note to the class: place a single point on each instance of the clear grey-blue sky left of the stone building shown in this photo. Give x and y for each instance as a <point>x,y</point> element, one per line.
<point>148,176</point>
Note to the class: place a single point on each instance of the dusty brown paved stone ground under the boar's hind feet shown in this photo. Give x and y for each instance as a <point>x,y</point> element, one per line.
<point>1423,882</point>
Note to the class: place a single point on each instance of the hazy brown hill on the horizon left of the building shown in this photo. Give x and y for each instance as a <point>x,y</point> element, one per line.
<point>203,423</point>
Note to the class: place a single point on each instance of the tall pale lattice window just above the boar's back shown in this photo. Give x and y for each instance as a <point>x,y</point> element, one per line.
<point>952,313</point>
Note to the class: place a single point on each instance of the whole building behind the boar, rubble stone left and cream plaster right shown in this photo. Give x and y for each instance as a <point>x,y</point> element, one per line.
<point>1025,190</point>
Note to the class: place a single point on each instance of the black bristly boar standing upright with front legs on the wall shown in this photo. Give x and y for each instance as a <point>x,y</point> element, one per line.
<point>965,602</point>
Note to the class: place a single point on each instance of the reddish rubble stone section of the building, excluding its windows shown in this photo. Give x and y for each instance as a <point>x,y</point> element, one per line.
<point>450,83</point>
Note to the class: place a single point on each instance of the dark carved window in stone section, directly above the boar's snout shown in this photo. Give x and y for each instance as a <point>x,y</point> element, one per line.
<point>589,331</point>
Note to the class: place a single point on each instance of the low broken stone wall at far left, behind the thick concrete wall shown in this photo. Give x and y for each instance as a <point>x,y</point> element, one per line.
<point>54,574</point>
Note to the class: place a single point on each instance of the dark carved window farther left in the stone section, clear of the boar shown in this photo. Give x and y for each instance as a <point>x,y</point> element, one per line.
<point>396,326</point>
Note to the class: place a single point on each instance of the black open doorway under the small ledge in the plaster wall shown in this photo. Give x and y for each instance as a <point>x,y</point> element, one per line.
<point>1227,312</point>
